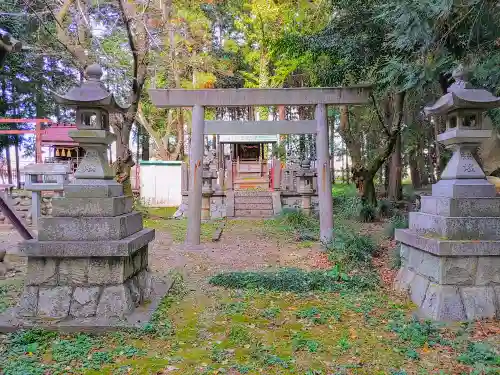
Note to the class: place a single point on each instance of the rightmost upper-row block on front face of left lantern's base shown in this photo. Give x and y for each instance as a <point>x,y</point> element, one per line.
<point>104,271</point>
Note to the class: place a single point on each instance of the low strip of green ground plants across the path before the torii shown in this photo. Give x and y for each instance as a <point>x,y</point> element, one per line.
<point>291,279</point>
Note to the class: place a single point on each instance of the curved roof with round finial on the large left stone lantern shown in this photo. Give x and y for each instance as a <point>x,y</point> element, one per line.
<point>91,93</point>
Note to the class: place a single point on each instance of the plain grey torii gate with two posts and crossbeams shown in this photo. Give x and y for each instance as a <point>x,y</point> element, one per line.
<point>319,97</point>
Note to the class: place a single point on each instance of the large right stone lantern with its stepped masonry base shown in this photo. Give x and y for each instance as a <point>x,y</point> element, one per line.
<point>450,255</point>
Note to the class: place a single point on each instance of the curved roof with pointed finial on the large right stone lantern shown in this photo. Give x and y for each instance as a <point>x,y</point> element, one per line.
<point>461,95</point>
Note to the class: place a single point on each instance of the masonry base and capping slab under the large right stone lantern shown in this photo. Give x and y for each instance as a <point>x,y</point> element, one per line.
<point>450,280</point>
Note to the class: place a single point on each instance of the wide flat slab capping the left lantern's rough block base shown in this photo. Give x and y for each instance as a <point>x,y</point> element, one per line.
<point>123,247</point>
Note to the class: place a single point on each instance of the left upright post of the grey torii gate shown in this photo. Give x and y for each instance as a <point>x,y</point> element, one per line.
<point>195,183</point>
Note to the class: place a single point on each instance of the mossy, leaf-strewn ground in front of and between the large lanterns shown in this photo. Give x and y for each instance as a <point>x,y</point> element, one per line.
<point>252,330</point>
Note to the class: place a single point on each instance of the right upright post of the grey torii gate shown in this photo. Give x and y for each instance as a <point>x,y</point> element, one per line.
<point>324,175</point>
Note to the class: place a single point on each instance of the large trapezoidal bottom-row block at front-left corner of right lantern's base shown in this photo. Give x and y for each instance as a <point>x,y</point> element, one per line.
<point>443,303</point>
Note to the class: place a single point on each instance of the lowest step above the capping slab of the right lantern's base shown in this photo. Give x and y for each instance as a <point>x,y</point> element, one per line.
<point>455,228</point>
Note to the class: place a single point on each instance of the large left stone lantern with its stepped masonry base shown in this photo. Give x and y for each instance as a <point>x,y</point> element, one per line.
<point>89,265</point>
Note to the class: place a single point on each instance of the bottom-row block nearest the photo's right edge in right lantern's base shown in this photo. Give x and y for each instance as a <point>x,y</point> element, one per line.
<point>479,302</point>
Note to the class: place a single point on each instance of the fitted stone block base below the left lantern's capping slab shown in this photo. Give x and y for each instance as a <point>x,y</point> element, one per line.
<point>66,288</point>
